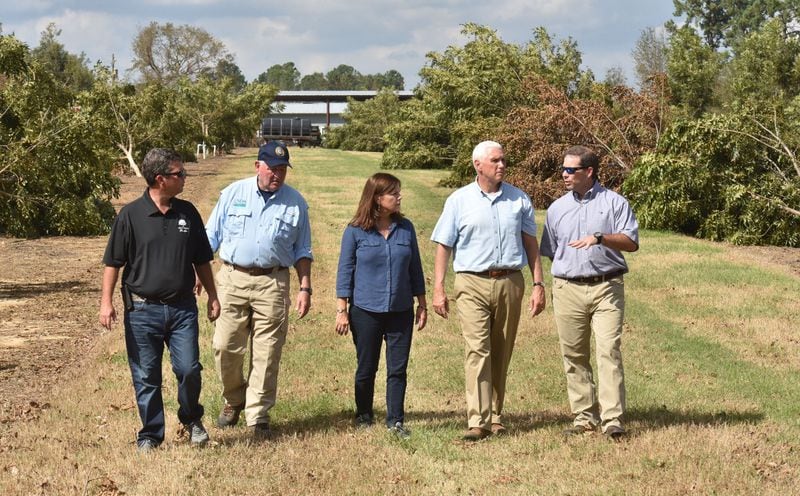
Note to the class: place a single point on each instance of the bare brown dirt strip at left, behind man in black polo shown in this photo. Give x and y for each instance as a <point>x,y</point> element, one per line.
<point>49,296</point>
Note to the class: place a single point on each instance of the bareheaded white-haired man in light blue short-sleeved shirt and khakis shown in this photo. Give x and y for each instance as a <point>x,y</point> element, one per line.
<point>489,228</point>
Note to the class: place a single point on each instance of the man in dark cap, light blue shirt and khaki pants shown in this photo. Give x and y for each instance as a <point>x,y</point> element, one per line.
<point>260,227</point>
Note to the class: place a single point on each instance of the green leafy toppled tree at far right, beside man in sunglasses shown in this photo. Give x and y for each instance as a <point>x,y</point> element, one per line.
<point>715,178</point>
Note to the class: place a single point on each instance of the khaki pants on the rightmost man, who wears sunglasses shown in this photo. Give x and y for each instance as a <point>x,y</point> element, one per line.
<point>580,309</point>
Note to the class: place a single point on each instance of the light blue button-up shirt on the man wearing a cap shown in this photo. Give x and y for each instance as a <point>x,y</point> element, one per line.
<point>253,230</point>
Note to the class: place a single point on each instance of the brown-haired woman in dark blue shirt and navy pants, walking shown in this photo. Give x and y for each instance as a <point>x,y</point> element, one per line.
<point>380,273</point>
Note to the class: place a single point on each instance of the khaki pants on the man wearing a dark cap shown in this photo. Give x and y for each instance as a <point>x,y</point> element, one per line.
<point>255,311</point>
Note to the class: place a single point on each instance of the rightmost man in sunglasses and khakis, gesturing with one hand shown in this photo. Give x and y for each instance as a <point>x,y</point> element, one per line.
<point>585,233</point>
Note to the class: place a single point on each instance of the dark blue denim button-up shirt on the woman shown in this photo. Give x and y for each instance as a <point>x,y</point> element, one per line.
<point>380,274</point>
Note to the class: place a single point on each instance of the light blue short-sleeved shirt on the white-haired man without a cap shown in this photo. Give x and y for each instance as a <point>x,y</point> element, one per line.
<point>485,231</point>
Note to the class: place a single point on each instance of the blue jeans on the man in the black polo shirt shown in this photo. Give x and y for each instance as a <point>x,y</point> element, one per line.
<point>147,328</point>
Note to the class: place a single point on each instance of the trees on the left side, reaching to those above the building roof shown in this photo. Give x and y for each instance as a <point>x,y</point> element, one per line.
<point>67,127</point>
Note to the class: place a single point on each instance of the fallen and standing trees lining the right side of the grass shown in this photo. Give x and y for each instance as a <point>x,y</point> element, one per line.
<point>707,145</point>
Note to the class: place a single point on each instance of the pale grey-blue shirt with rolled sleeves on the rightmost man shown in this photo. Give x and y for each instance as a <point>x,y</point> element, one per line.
<point>570,218</point>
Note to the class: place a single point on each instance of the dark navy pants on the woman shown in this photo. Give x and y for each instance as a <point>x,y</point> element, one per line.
<point>369,329</point>
